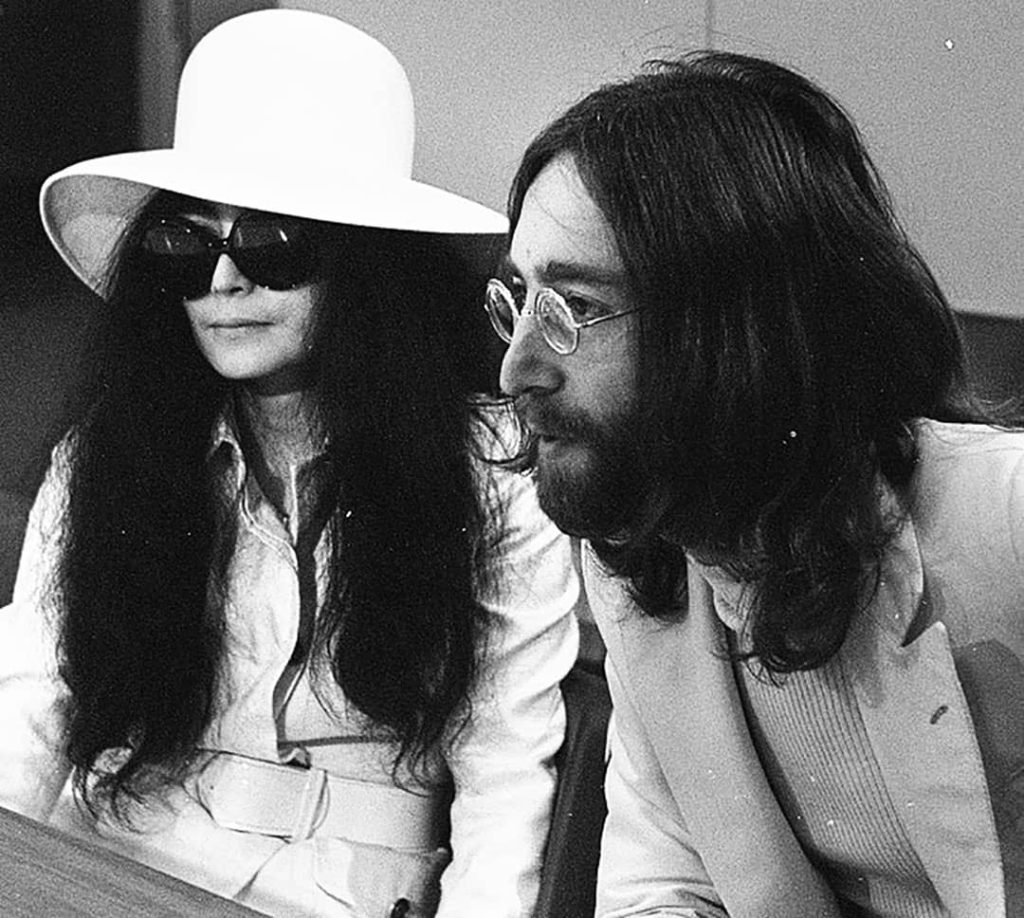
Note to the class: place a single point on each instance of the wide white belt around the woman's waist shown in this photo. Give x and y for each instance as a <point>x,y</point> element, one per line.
<point>295,803</point>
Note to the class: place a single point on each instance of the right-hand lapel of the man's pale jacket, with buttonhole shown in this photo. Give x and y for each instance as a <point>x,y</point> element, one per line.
<point>920,728</point>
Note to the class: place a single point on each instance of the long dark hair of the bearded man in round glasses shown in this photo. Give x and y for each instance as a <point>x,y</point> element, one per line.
<point>790,336</point>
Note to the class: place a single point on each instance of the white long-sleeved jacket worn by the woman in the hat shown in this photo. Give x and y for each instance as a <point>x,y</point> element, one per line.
<point>501,766</point>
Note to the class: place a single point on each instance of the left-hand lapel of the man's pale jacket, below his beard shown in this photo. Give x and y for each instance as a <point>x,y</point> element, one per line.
<point>686,691</point>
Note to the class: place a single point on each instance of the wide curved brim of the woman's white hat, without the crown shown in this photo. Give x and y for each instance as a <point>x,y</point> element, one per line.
<point>87,207</point>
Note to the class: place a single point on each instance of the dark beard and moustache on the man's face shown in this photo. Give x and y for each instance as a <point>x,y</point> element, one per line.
<point>587,475</point>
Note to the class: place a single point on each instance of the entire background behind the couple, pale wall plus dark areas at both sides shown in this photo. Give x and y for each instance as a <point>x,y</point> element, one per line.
<point>937,88</point>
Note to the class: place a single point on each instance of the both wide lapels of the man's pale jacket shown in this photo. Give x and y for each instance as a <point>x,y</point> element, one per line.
<point>910,698</point>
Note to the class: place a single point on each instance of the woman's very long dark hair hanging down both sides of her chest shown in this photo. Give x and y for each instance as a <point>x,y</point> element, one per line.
<point>142,583</point>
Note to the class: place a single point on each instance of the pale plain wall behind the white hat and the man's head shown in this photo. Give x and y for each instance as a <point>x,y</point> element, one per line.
<point>937,88</point>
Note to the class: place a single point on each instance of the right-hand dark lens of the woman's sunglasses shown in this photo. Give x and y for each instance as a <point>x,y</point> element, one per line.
<point>274,252</point>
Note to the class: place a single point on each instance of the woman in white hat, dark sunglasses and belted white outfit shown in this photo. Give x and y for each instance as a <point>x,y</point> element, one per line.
<point>282,628</point>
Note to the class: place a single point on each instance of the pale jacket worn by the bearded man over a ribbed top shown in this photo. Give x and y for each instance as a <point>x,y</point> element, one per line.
<point>694,827</point>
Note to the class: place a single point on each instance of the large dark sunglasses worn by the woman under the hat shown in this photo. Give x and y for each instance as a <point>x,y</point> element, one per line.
<point>272,252</point>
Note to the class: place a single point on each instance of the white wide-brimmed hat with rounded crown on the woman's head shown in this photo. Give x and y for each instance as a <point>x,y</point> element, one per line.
<point>280,110</point>
